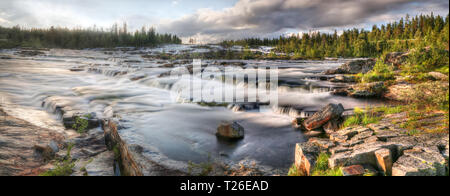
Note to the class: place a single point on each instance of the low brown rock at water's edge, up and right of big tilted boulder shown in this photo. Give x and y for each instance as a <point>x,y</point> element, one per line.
<point>368,90</point>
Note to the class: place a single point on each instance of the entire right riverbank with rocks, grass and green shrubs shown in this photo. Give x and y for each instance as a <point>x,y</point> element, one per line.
<point>410,139</point>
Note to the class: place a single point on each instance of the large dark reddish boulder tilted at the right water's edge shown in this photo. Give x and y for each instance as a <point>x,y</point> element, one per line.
<point>330,112</point>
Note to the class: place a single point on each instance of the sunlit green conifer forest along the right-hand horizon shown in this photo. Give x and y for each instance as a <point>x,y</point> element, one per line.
<point>399,36</point>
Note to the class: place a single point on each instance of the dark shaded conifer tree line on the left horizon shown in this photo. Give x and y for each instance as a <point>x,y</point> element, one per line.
<point>79,38</point>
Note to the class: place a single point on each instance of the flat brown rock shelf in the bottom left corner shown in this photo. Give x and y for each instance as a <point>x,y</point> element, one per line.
<point>25,148</point>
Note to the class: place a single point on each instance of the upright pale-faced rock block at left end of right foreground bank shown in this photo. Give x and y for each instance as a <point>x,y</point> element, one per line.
<point>306,156</point>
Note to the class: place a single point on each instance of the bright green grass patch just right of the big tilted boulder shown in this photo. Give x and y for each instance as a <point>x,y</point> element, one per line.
<point>361,118</point>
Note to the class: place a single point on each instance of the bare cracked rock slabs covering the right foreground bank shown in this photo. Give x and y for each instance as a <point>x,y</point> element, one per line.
<point>382,148</point>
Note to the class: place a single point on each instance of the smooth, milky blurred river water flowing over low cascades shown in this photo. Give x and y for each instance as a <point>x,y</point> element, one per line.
<point>136,91</point>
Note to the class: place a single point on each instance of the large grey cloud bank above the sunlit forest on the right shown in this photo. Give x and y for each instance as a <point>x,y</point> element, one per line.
<point>265,18</point>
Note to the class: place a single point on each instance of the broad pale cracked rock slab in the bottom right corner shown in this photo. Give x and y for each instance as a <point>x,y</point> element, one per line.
<point>417,162</point>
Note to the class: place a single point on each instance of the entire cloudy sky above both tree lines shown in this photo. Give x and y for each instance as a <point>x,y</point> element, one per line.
<point>215,20</point>
